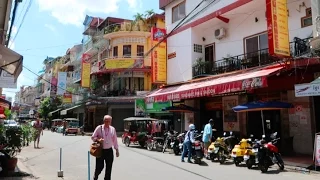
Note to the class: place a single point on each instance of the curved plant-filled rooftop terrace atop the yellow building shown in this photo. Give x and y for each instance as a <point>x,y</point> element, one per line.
<point>126,29</point>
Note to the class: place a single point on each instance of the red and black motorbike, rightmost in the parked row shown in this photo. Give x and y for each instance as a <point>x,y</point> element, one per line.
<point>268,154</point>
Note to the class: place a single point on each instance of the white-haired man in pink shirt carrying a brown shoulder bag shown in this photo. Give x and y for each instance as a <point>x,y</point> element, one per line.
<point>107,136</point>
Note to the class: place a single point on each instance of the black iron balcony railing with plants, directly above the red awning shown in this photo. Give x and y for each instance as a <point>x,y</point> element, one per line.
<point>298,48</point>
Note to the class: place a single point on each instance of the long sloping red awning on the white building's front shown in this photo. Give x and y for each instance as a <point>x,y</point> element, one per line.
<point>220,85</point>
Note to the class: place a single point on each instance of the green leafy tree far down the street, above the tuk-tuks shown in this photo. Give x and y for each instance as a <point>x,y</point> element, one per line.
<point>49,104</point>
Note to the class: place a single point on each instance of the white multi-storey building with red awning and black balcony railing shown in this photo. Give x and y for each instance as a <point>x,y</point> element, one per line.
<point>221,55</point>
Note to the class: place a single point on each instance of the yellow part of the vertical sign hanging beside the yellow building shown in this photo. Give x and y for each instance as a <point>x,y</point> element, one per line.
<point>159,61</point>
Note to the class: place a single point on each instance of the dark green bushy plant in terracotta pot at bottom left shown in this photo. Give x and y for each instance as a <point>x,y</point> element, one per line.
<point>13,146</point>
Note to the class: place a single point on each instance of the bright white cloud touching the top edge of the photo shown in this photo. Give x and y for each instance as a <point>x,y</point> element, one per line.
<point>73,11</point>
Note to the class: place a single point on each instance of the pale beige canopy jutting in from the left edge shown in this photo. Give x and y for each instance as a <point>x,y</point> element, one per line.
<point>10,61</point>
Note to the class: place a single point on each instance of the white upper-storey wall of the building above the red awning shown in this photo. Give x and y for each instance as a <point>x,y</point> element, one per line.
<point>242,24</point>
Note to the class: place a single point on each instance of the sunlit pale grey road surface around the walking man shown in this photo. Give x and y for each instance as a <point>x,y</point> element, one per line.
<point>133,163</point>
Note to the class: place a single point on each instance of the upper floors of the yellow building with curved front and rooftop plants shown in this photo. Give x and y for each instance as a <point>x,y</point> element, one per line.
<point>124,58</point>
